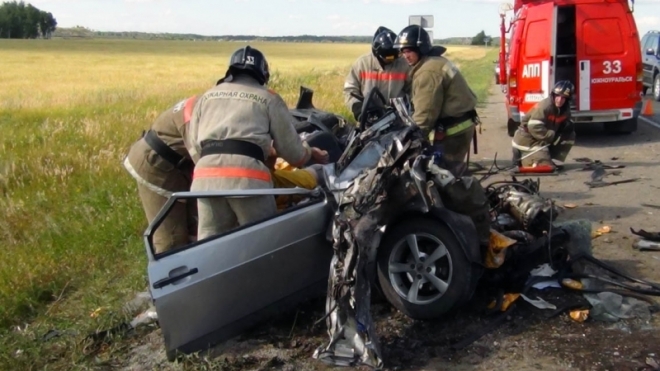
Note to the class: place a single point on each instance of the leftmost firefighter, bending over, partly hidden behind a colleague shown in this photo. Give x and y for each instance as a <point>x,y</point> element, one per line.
<point>161,165</point>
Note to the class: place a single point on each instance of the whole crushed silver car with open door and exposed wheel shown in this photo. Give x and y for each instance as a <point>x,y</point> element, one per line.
<point>386,216</point>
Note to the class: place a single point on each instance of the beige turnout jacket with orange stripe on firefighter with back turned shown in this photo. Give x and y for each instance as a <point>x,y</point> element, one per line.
<point>243,110</point>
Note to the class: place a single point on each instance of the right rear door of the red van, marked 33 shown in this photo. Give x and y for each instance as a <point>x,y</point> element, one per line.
<point>607,71</point>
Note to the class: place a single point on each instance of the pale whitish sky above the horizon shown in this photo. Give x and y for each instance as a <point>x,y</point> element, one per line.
<point>293,17</point>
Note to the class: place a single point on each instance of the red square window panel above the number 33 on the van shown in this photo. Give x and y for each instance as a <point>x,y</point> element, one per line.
<point>603,36</point>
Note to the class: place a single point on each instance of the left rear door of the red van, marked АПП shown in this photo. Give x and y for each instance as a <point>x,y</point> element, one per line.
<point>536,56</point>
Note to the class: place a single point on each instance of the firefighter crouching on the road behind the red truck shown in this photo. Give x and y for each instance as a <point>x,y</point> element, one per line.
<point>547,132</point>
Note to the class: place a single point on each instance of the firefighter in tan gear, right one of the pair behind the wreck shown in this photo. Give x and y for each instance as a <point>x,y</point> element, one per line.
<point>443,102</point>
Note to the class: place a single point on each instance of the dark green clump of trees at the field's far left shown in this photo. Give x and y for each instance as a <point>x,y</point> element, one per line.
<point>20,21</point>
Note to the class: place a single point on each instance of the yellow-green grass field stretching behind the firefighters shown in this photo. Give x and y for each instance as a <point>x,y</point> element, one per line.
<point>70,220</point>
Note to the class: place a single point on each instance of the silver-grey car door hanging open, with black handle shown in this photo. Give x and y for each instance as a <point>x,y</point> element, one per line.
<point>211,290</point>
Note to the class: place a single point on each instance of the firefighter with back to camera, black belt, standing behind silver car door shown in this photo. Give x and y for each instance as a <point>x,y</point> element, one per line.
<point>231,129</point>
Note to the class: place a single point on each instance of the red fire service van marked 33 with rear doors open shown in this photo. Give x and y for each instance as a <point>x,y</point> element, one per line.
<point>593,43</point>
